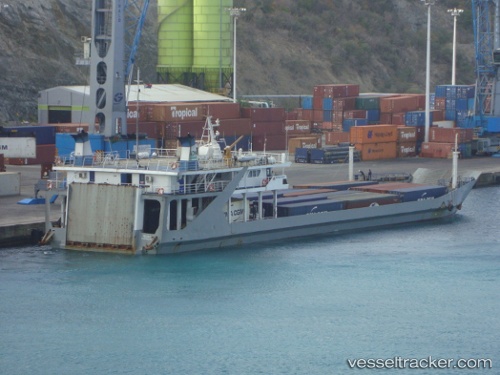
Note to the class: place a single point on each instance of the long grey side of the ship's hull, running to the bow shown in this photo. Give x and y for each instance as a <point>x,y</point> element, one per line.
<point>337,222</point>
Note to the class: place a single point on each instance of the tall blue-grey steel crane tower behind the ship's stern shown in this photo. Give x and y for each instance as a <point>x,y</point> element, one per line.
<point>109,69</point>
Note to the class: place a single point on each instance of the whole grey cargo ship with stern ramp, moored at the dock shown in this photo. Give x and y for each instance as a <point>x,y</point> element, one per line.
<point>204,195</point>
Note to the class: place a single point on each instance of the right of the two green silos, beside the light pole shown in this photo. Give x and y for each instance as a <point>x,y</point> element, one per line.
<point>212,42</point>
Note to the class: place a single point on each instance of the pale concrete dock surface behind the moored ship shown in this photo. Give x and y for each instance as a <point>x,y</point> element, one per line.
<point>25,224</point>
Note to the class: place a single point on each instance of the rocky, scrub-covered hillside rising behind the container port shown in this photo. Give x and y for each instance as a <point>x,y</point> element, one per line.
<point>284,47</point>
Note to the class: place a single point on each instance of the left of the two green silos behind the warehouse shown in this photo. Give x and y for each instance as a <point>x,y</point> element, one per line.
<point>175,40</point>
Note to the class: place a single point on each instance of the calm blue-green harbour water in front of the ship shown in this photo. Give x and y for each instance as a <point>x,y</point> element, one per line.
<point>298,307</point>
